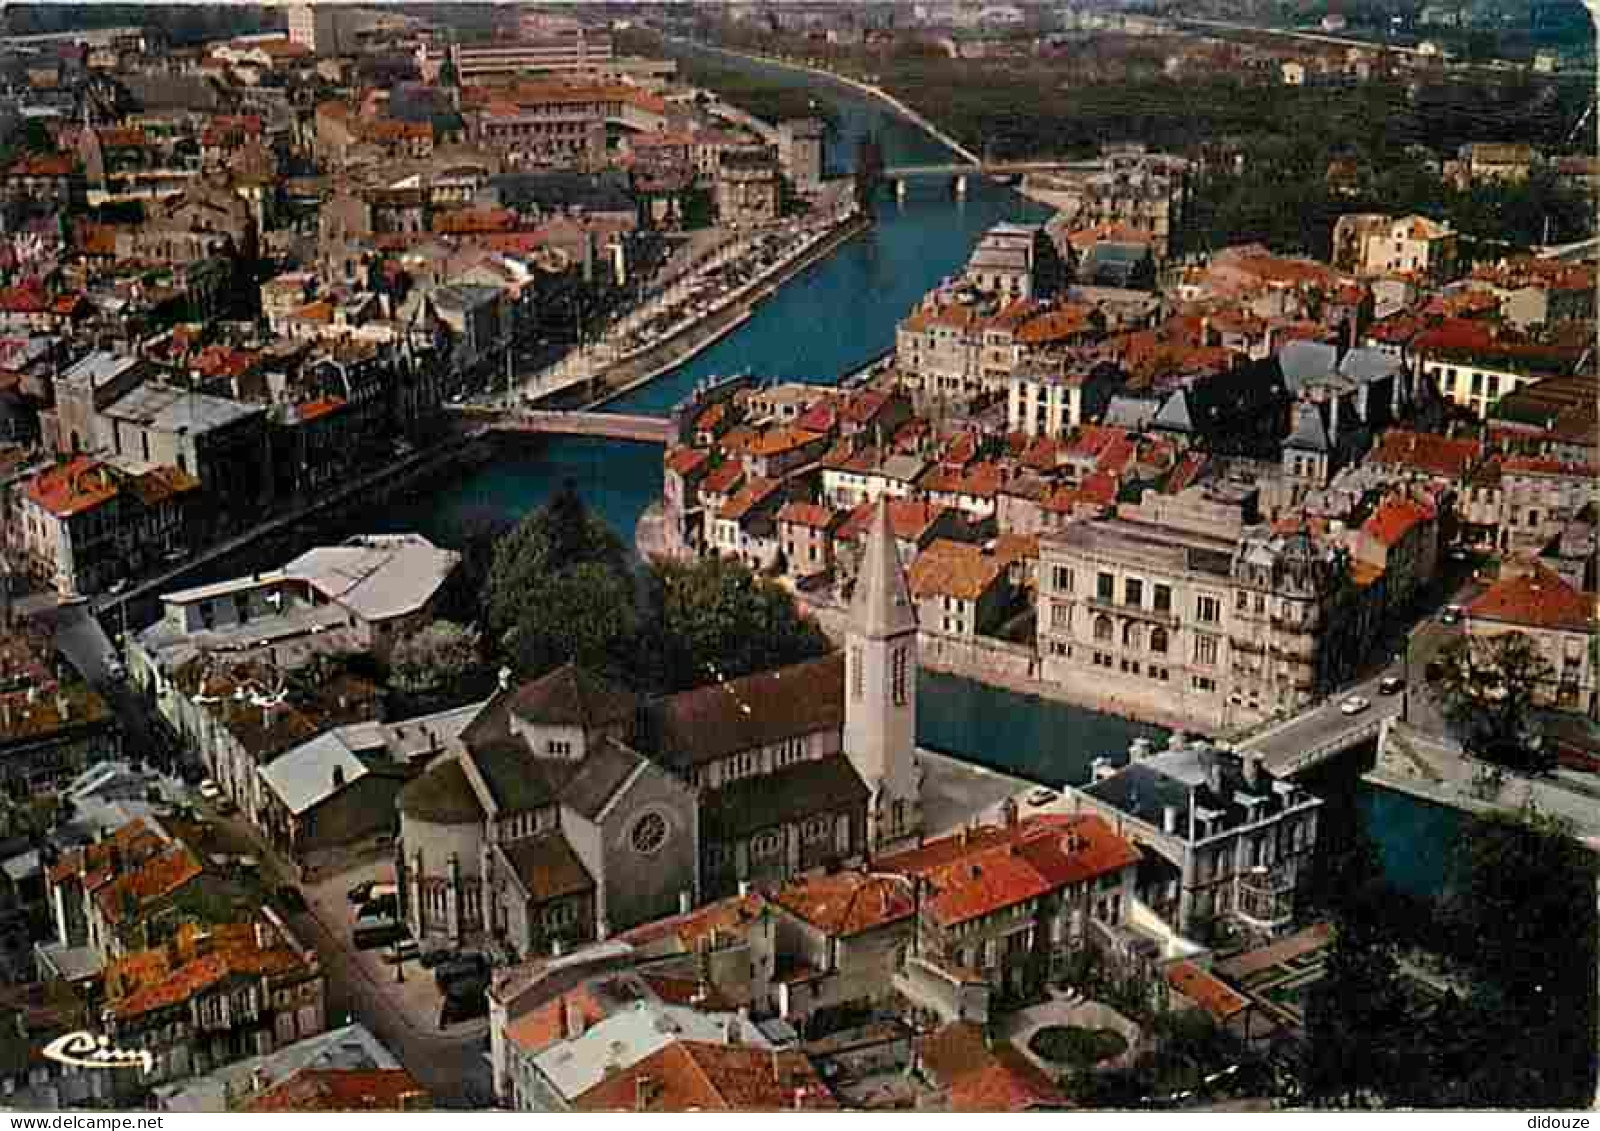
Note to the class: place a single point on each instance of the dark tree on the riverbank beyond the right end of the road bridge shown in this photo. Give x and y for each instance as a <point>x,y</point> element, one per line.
<point>1487,687</point>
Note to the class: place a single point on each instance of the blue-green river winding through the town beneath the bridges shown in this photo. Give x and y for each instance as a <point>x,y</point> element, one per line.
<point>822,326</point>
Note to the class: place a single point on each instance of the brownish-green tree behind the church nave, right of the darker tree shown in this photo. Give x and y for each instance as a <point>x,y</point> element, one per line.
<point>719,620</point>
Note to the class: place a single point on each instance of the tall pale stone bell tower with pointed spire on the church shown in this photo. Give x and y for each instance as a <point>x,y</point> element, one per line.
<point>881,690</point>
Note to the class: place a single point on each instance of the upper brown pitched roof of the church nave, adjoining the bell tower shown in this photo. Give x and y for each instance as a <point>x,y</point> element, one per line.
<point>711,722</point>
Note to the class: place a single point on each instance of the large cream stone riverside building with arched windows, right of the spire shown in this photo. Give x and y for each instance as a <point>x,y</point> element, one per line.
<point>1182,610</point>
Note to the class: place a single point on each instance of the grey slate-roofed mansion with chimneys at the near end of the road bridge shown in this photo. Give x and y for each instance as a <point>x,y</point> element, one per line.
<point>1223,839</point>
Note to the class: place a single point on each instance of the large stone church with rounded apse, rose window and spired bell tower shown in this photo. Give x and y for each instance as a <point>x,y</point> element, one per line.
<point>572,809</point>
